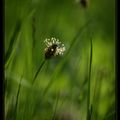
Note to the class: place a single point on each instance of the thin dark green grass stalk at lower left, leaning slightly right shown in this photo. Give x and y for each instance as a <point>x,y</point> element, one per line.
<point>16,104</point>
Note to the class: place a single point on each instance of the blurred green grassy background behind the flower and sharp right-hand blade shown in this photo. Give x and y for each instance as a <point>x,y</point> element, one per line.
<point>60,91</point>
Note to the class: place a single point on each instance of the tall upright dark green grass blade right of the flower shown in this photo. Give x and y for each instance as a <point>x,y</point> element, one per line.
<point>89,77</point>
